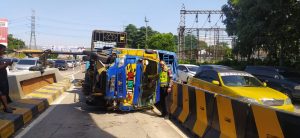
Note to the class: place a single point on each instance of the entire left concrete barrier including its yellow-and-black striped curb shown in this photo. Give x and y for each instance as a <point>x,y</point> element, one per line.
<point>32,92</point>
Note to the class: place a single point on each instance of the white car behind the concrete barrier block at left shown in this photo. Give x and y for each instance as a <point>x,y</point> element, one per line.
<point>25,64</point>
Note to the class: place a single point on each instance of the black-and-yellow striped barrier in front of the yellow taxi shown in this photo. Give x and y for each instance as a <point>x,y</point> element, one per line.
<point>209,115</point>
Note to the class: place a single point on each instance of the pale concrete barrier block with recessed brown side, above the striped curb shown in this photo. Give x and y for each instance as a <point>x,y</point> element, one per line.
<point>24,82</point>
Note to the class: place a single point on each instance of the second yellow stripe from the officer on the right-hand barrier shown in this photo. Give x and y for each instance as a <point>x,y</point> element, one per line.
<point>185,104</point>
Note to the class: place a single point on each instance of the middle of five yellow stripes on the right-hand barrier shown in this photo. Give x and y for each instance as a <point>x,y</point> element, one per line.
<point>201,122</point>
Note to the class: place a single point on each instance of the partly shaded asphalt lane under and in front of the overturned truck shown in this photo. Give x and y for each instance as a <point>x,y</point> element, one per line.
<point>71,117</point>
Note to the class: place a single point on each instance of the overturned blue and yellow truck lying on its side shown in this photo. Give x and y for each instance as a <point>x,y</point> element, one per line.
<point>120,78</point>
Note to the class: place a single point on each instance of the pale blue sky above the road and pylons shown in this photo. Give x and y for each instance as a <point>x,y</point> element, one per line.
<point>69,23</point>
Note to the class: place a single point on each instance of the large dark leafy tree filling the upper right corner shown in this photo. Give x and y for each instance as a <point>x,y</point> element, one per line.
<point>270,25</point>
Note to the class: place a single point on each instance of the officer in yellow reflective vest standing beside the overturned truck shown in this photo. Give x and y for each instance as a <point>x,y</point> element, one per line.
<point>165,86</point>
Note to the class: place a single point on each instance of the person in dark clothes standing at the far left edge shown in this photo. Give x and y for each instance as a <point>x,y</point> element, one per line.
<point>4,87</point>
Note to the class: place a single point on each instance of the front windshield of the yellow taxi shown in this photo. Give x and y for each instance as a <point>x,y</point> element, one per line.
<point>241,81</point>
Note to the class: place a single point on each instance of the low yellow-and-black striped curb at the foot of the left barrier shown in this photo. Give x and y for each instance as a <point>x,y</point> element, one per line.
<point>30,107</point>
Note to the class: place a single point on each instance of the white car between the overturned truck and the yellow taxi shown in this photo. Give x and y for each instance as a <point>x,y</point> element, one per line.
<point>186,71</point>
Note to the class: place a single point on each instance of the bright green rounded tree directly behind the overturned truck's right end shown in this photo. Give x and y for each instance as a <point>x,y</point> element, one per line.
<point>162,42</point>
